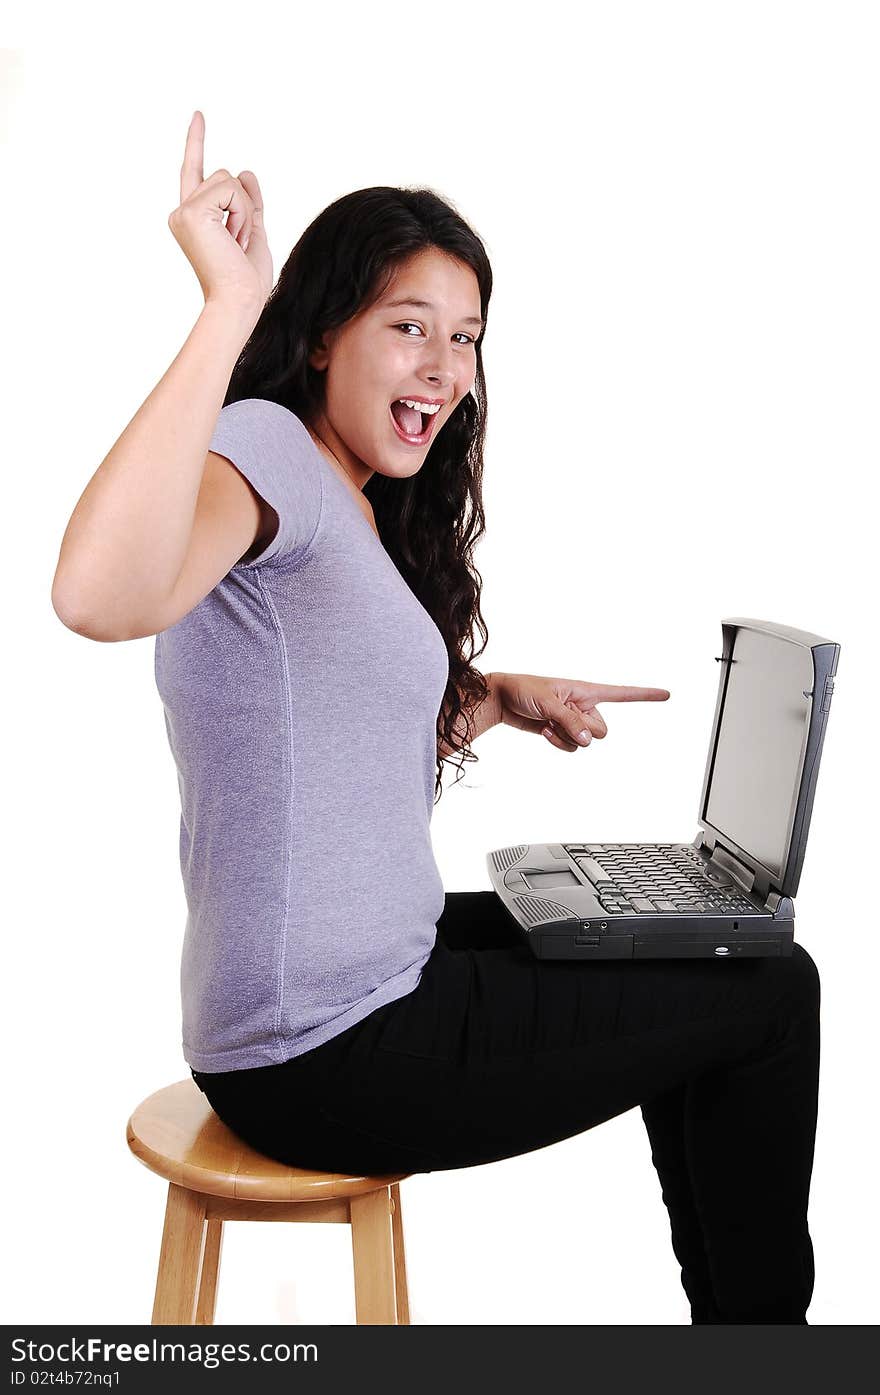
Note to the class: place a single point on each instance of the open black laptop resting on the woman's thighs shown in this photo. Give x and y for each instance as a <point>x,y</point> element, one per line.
<point>729,893</point>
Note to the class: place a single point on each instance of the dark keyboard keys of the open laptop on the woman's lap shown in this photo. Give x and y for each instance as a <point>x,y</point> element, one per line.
<point>649,878</point>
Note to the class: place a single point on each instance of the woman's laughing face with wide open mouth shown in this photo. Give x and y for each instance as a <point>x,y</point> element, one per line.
<point>400,349</point>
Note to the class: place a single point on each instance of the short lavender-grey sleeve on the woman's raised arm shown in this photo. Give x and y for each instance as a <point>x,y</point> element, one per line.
<point>274,451</point>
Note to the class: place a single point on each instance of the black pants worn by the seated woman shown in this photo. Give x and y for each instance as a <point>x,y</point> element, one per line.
<point>497,1054</point>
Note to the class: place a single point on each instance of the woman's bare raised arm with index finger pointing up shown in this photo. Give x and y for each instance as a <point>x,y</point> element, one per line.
<point>130,535</point>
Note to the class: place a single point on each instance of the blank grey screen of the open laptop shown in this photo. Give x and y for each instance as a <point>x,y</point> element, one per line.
<point>761,748</point>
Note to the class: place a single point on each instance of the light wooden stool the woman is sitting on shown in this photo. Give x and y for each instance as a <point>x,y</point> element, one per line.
<point>214,1177</point>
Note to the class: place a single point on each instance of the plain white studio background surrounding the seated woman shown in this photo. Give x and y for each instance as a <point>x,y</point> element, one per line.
<point>680,203</point>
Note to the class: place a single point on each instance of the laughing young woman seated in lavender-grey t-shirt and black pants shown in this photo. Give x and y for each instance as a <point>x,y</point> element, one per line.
<point>294,513</point>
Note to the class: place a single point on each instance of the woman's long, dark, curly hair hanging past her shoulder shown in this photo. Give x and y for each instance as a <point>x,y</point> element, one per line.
<point>430,522</point>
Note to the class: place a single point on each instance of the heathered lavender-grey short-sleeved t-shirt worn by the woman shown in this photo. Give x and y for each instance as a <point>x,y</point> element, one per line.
<point>301,701</point>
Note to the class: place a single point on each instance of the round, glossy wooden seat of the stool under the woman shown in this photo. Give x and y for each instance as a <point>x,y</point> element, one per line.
<point>178,1135</point>
